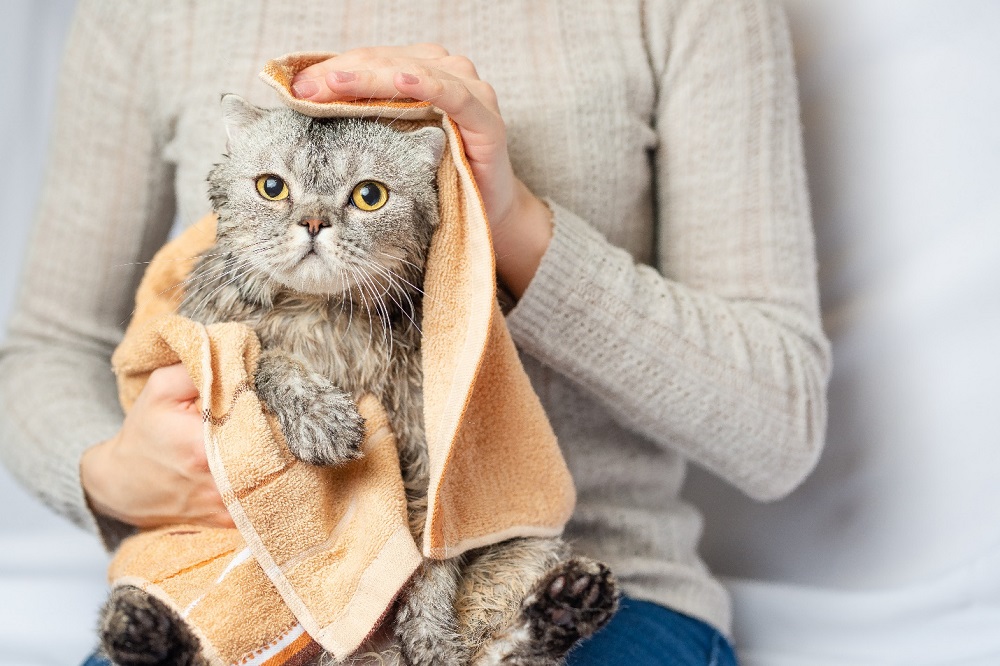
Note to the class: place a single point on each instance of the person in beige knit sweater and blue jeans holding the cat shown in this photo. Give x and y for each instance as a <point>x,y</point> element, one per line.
<point>641,166</point>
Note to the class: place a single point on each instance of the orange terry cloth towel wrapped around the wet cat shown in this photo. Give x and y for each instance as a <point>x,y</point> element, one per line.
<point>319,554</point>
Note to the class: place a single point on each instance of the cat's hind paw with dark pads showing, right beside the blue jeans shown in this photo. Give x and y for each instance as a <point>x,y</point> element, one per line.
<point>574,600</point>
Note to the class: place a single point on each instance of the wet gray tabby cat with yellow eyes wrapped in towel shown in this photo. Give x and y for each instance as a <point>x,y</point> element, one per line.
<point>324,228</point>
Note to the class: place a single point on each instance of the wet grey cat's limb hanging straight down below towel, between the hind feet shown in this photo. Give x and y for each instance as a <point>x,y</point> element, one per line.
<point>426,626</point>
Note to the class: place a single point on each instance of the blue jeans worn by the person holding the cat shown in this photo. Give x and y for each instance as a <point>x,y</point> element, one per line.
<point>640,634</point>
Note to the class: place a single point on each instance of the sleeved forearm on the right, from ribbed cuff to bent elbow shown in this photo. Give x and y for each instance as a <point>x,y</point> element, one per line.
<point>734,384</point>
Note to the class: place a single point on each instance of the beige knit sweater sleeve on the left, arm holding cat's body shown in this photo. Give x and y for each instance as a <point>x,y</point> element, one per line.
<point>106,205</point>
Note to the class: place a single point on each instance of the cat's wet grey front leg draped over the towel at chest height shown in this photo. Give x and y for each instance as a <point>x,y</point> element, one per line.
<point>320,421</point>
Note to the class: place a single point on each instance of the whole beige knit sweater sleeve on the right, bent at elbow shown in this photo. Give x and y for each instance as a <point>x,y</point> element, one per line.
<point>719,353</point>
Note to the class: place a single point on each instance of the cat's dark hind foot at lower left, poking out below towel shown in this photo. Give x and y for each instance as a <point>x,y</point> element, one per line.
<point>137,629</point>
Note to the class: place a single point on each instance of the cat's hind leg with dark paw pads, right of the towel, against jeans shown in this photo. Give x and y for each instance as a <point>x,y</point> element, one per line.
<point>523,602</point>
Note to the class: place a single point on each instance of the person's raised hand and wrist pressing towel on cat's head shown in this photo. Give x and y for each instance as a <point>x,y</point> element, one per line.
<point>520,223</point>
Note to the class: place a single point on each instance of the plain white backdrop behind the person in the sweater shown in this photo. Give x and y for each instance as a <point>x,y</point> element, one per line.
<point>890,553</point>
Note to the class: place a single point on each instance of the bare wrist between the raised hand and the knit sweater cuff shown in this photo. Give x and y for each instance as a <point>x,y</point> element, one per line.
<point>521,239</point>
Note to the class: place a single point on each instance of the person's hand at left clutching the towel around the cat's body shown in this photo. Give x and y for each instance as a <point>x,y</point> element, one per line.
<point>154,471</point>
